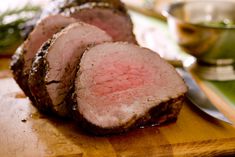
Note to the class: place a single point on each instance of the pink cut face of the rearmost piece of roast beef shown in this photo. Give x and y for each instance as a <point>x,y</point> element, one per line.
<point>116,25</point>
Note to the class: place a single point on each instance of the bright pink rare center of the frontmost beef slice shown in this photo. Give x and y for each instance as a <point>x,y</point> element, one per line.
<point>118,76</point>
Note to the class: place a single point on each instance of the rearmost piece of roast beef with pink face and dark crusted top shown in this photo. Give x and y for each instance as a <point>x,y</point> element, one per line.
<point>116,23</point>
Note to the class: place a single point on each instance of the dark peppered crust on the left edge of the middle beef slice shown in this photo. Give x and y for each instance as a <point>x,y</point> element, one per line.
<point>37,82</point>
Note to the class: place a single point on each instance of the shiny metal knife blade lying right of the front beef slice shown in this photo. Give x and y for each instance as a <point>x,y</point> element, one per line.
<point>199,98</point>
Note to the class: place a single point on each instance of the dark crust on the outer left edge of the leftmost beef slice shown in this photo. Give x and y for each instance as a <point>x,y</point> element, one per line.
<point>17,66</point>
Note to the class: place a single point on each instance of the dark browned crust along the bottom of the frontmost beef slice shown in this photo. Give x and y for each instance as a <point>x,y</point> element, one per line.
<point>160,114</point>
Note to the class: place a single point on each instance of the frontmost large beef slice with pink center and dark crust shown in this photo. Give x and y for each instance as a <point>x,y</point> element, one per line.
<point>120,86</point>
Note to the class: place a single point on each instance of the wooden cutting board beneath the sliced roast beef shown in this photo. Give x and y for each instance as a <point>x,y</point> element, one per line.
<point>26,133</point>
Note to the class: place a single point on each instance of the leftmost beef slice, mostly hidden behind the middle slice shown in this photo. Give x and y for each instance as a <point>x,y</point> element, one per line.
<point>22,60</point>
